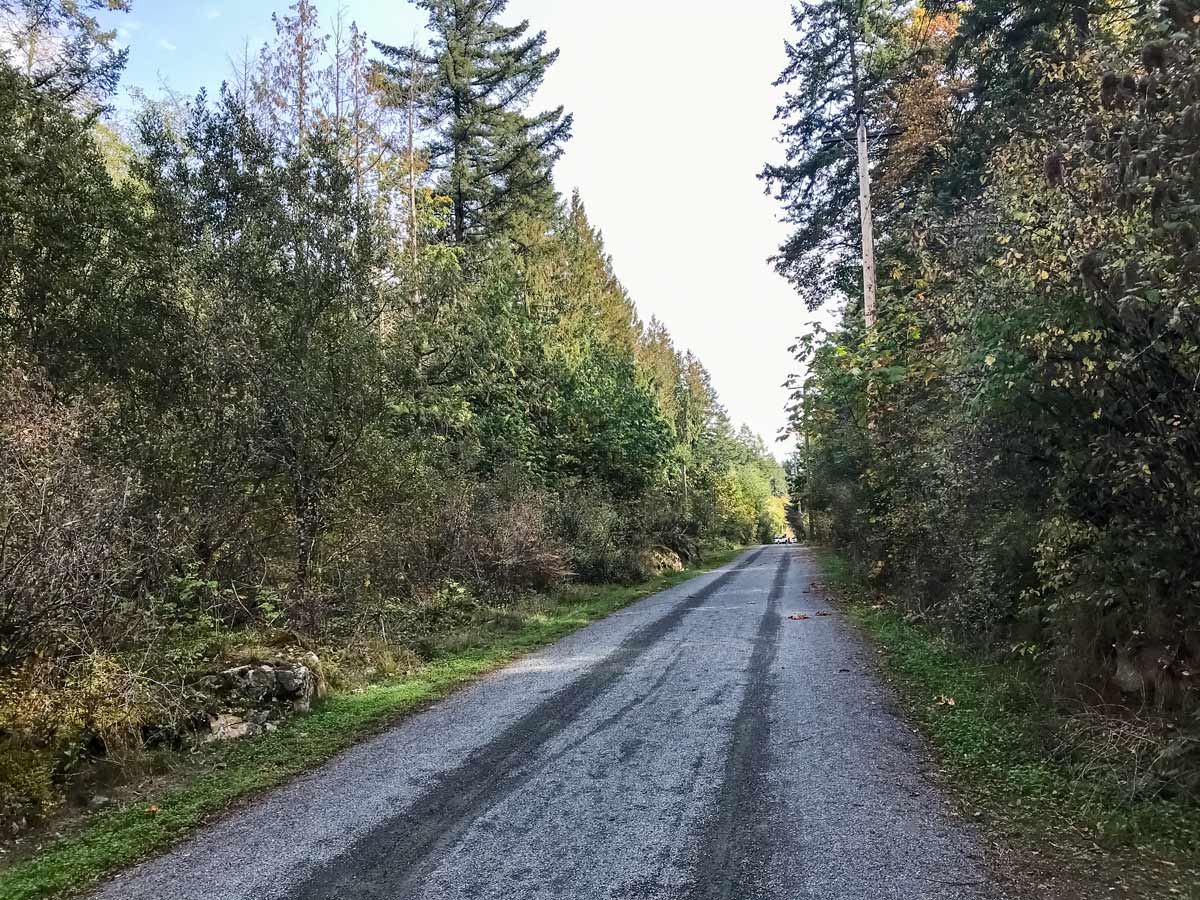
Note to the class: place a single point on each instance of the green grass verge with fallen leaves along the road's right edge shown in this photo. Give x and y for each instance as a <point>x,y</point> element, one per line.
<point>1069,831</point>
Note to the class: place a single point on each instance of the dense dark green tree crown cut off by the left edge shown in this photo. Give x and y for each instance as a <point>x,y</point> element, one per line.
<point>69,237</point>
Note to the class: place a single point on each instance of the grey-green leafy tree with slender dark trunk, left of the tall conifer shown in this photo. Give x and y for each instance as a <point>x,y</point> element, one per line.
<point>284,268</point>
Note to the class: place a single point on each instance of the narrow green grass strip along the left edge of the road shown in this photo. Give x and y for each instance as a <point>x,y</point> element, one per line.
<point>119,838</point>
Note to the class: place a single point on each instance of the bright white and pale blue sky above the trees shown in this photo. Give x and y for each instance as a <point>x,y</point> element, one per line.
<point>674,105</point>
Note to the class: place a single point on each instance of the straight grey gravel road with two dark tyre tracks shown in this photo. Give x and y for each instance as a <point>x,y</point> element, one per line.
<point>699,745</point>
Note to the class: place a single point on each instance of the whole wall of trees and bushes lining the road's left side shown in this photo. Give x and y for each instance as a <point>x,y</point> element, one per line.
<point>272,374</point>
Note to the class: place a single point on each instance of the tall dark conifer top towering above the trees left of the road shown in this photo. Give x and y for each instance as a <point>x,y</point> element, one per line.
<point>495,161</point>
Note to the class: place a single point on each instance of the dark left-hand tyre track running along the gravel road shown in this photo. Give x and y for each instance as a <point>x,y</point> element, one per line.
<point>395,860</point>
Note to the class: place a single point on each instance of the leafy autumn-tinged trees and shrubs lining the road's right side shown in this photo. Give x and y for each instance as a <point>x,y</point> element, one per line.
<point>1010,451</point>
